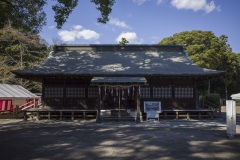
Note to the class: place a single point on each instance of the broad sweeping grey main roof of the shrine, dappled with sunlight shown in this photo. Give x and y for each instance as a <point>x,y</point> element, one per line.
<point>116,60</point>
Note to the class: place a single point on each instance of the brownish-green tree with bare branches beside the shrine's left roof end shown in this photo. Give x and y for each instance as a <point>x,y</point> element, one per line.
<point>17,51</point>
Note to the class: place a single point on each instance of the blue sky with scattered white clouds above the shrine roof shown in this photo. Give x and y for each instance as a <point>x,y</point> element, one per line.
<point>146,21</point>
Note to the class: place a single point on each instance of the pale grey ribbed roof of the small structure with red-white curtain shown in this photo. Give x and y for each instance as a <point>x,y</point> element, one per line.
<point>14,91</point>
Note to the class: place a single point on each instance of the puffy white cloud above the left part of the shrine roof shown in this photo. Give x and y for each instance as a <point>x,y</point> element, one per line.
<point>78,32</point>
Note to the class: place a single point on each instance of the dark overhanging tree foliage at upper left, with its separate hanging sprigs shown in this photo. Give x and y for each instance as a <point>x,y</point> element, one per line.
<point>29,14</point>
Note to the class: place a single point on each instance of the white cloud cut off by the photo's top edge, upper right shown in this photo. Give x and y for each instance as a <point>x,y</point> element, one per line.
<point>195,5</point>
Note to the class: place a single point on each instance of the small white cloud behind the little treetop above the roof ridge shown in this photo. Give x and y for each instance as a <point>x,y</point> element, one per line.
<point>130,36</point>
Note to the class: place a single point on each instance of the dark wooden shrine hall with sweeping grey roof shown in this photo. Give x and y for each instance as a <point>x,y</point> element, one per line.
<point>117,81</point>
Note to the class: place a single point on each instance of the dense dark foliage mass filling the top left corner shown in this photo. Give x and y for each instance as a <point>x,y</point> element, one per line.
<point>23,14</point>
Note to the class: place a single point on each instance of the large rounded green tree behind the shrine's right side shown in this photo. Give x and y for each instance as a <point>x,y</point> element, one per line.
<point>209,51</point>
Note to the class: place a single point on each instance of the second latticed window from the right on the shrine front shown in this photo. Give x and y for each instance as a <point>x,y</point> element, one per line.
<point>162,92</point>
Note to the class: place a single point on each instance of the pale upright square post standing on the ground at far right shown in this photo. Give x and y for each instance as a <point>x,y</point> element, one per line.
<point>231,118</point>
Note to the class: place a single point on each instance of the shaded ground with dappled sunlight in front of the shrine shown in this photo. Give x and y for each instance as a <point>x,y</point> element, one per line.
<point>170,139</point>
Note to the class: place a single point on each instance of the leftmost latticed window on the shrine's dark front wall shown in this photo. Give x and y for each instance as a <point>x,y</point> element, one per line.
<point>54,92</point>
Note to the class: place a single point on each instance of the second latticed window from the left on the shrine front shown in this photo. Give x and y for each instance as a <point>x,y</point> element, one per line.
<point>75,92</point>
